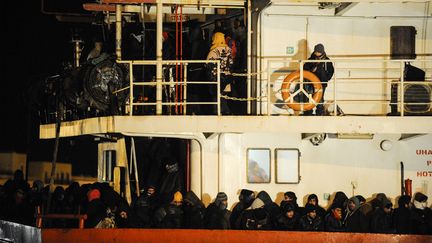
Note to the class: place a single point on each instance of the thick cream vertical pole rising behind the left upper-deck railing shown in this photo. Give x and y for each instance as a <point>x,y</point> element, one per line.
<point>159,25</point>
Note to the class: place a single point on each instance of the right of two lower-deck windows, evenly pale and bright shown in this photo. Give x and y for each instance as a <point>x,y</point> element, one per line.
<point>287,165</point>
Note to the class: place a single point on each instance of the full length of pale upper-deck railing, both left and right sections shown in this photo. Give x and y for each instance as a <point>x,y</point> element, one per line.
<point>367,87</point>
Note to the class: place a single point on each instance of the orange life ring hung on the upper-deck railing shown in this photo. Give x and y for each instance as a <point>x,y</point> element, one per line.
<point>307,77</point>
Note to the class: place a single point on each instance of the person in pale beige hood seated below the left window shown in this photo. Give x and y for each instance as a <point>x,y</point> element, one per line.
<point>256,217</point>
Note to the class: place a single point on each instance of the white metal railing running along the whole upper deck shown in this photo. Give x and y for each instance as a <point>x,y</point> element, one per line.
<point>368,83</point>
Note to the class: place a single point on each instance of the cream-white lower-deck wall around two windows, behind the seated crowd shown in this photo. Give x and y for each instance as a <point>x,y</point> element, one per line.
<point>332,166</point>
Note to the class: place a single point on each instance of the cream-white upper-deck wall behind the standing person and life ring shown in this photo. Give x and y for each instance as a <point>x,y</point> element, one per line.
<point>363,30</point>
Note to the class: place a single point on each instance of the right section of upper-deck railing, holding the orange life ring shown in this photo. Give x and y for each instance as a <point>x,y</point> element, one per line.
<point>358,87</point>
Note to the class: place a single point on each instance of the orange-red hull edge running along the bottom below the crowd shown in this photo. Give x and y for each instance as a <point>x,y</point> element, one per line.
<point>228,236</point>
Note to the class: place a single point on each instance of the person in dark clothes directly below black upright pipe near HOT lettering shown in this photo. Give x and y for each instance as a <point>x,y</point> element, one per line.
<point>402,215</point>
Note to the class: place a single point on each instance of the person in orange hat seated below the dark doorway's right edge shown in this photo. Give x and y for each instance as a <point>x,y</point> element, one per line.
<point>170,216</point>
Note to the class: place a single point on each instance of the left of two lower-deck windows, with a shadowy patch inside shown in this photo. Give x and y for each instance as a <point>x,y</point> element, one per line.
<point>258,166</point>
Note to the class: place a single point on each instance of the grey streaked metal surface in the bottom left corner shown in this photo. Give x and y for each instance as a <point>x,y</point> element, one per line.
<point>18,233</point>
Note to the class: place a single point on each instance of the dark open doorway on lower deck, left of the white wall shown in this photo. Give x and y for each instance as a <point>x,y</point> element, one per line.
<point>162,163</point>
